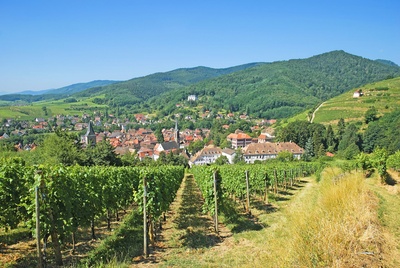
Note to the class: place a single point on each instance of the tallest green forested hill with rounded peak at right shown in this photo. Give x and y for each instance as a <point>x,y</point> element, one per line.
<point>281,89</point>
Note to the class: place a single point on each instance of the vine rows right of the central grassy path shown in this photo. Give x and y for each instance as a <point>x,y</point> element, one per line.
<point>238,182</point>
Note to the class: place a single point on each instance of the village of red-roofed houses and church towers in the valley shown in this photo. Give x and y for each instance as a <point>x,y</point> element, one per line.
<point>143,141</point>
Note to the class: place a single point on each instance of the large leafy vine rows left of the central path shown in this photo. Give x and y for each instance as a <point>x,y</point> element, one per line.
<point>70,198</point>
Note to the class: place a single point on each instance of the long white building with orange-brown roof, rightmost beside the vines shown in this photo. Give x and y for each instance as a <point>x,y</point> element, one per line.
<point>269,150</point>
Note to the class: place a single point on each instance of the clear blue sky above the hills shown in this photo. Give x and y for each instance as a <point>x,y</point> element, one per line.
<point>51,44</point>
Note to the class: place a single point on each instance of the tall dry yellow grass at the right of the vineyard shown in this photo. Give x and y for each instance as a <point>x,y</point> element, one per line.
<point>340,229</point>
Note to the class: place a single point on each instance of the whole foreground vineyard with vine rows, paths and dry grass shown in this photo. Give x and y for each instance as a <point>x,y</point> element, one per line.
<point>236,207</point>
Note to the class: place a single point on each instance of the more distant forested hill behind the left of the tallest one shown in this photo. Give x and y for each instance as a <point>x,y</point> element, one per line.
<point>140,89</point>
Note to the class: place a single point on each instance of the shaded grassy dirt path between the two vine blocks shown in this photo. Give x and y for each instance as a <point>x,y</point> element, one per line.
<point>187,228</point>
